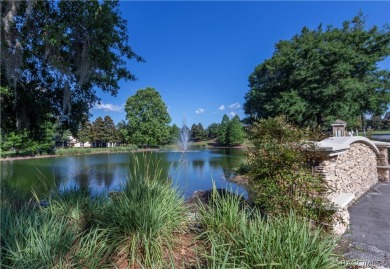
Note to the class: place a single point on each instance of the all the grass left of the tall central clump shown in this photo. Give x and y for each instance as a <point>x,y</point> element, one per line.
<point>54,233</point>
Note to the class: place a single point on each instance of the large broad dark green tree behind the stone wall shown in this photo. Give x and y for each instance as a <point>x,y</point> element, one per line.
<point>319,76</point>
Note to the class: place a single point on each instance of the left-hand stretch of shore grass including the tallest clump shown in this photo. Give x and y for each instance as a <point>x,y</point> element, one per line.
<point>79,229</point>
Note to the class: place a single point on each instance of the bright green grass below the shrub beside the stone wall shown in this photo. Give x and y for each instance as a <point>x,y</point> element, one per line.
<point>239,237</point>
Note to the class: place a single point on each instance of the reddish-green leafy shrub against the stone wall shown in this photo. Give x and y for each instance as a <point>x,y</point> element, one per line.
<point>280,169</point>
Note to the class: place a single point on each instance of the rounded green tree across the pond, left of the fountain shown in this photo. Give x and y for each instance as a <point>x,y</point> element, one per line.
<point>148,118</point>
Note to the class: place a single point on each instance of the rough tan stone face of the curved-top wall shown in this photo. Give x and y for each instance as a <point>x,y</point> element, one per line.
<point>351,171</point>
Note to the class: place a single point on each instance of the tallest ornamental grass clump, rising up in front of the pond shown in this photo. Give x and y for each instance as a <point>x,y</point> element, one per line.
<point>146,215</point>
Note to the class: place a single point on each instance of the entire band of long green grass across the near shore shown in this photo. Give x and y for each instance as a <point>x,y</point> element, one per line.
<point>142,227</point>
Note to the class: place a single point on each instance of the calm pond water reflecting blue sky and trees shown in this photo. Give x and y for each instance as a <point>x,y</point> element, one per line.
<point>190,171</point>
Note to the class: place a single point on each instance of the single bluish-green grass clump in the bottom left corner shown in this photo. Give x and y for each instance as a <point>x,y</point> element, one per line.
<point>33,239</point>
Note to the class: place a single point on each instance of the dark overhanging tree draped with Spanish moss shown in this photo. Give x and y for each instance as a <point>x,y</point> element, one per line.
<point>54,55</point>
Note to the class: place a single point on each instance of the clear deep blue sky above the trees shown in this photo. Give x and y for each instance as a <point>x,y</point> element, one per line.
<point>199,55</point>
